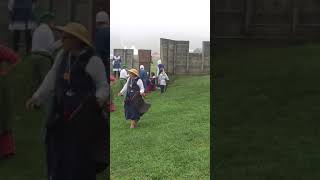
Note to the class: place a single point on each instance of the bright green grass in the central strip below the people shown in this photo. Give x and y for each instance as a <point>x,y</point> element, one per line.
<point>172,139</point>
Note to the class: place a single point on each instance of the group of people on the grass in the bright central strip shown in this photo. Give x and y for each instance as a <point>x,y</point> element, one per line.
<point>134,84</point>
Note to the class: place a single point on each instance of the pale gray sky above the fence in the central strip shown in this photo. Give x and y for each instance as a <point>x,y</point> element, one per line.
<point>141,23</point>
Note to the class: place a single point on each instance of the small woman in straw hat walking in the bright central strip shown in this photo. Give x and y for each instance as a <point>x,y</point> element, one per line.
<point>133,91</point>
